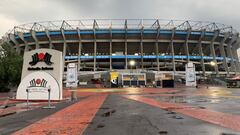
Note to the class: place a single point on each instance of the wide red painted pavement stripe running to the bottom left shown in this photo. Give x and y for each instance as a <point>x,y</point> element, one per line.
<point>71,120</point>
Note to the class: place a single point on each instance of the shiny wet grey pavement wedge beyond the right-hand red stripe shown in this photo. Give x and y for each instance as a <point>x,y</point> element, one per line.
<point>215,98</point>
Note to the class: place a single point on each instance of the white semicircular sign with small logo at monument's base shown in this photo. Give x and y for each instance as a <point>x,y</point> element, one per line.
<point>38,83</point>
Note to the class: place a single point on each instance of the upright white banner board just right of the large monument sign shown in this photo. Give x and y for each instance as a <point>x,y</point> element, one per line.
<point>72,75</point>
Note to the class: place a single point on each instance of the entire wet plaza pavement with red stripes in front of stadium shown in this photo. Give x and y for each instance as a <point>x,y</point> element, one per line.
<point>134,111</point>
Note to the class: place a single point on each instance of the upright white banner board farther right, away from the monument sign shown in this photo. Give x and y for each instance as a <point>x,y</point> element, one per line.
<point>190,75</point>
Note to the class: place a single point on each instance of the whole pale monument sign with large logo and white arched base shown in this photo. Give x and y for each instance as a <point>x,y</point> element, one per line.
<point>47,63</point>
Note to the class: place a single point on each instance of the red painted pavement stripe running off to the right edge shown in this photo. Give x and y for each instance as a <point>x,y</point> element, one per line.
<point>218,118</point>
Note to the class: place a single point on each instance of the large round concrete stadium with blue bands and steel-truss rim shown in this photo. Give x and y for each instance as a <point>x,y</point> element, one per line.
<point>152,45</point>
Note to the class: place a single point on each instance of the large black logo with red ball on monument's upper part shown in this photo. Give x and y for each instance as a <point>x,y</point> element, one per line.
<point>37,57</point>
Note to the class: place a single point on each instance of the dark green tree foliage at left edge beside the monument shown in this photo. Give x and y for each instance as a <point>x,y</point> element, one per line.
<point>10,67</point>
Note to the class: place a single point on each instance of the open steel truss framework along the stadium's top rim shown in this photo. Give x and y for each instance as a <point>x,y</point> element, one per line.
<point>123,23</point>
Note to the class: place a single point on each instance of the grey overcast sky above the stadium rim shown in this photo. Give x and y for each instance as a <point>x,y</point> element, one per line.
<point>16,12</point>
